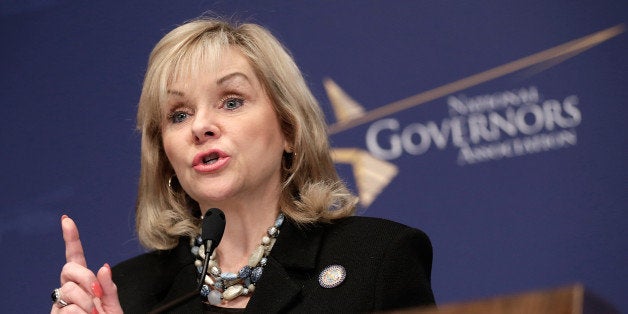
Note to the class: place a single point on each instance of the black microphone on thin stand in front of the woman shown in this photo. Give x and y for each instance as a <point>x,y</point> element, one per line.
<point>211,234</point>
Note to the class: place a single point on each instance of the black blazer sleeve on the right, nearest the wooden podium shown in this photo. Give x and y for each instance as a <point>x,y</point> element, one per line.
<point>404,279</point>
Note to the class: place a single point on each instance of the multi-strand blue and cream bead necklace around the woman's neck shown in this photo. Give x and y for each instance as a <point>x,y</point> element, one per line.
<point>227,286</point>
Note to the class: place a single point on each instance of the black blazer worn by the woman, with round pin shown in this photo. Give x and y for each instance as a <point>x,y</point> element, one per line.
<point>388,266</point>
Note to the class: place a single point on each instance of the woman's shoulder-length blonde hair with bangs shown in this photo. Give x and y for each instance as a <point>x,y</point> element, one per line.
<point>311,189</point>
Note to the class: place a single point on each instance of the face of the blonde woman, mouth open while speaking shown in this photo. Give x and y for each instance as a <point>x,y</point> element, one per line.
<point>221,134</point>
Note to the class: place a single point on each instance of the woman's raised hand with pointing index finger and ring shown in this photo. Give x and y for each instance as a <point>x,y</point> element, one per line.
<point>81,289</point>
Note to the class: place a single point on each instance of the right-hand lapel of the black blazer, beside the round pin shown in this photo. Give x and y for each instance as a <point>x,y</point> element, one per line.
<point>296,249</point>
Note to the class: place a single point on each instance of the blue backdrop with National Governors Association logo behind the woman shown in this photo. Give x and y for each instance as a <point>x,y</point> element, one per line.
<point>498,128</point>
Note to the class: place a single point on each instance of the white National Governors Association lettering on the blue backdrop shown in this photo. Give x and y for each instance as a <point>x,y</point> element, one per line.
<point>485,127</point>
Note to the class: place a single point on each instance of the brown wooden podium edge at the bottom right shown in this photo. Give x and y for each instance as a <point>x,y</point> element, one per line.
<point>573,299</point>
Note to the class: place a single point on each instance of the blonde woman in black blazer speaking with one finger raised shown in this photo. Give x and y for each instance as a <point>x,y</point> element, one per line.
<point>228,122</point>
